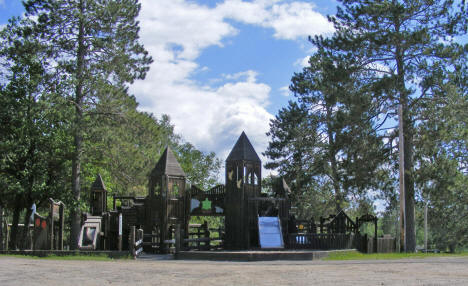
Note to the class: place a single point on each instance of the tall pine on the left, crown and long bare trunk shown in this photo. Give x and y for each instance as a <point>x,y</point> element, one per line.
<point>94,46</point>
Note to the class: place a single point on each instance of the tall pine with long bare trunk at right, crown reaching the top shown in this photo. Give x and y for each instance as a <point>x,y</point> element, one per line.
<point>409,43</point>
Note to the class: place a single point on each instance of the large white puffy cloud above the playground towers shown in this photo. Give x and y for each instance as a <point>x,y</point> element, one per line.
<point>175,32</point>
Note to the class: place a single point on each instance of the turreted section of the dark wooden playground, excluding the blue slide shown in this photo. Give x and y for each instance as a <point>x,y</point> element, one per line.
<point>171,202</point>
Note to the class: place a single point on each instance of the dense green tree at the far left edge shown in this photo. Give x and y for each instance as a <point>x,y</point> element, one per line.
<point>33,127</point>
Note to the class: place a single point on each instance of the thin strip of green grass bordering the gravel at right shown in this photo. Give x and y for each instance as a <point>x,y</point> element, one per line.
<point>355,255</point>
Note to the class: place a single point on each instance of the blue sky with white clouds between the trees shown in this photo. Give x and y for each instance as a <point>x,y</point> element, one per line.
<point>221,67</point>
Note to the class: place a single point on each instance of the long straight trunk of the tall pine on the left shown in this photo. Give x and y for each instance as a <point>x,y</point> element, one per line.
<point>78,134</point>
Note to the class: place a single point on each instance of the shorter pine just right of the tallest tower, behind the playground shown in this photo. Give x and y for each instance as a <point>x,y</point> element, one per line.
<point>328,140</point>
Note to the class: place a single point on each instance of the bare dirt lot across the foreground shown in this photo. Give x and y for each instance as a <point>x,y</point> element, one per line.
<point>431,271</point>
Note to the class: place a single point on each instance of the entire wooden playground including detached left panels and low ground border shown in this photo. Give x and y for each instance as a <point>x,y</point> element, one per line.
<point>253,225</point>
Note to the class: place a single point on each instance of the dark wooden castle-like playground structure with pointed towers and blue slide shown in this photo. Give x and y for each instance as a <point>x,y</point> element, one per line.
<point>159,222</point>
